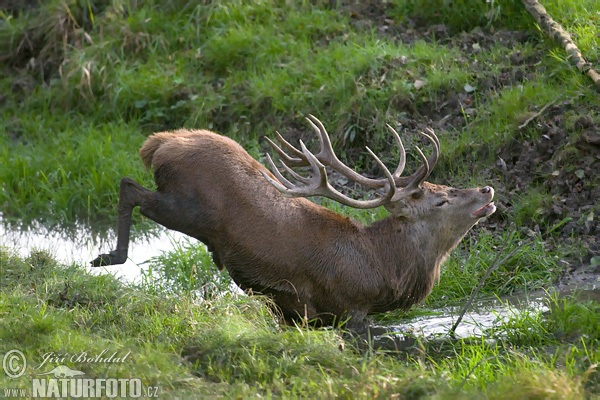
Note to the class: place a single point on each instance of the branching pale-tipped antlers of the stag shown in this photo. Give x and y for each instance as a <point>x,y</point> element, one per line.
<point>318,185</point>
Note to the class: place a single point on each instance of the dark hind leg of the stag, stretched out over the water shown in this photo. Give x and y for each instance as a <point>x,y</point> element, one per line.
<point>131,194</point>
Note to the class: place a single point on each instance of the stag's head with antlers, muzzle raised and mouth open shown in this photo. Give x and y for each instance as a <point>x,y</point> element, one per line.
<point>410,197</point>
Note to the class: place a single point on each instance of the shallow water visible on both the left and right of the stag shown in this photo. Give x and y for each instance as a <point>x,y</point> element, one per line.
<point>80,246</point>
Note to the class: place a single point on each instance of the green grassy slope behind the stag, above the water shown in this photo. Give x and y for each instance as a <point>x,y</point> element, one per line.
<point>85,81</point>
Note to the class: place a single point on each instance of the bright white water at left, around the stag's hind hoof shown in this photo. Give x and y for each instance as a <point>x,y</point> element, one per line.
<point>80,246</point>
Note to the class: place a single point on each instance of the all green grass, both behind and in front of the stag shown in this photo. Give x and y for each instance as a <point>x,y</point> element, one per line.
<point>85,81</point>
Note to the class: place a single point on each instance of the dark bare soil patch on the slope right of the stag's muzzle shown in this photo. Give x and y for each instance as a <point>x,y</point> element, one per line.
<point>563,162</point>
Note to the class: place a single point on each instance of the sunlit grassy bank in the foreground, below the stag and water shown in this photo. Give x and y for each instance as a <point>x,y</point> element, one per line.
<point>230,345</point>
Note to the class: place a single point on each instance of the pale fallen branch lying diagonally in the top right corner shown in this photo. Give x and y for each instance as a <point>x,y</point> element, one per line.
<point>560,35</point>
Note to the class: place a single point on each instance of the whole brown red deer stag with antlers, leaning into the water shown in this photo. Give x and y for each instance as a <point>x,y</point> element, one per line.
<point>314,263</point>
